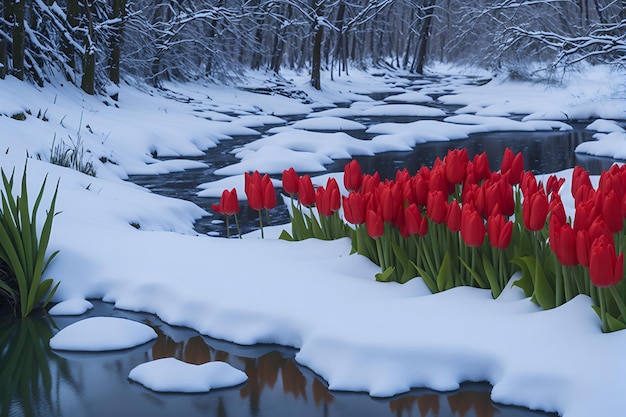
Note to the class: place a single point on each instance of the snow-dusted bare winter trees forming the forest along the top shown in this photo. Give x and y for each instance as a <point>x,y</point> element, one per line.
<point>95,43</point>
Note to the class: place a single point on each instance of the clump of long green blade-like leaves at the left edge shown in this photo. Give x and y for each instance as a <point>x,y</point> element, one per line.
<point>22,250</point>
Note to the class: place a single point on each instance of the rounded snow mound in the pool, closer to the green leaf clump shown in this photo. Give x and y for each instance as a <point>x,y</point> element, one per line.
<point>97,334</point>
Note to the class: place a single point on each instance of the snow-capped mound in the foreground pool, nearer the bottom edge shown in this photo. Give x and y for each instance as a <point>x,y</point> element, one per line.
<point>172,375</point>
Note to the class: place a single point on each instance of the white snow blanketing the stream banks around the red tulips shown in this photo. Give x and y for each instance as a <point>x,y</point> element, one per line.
<point>356,333</point>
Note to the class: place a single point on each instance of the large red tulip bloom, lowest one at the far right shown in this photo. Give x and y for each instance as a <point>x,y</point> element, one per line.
<point>605,268</point>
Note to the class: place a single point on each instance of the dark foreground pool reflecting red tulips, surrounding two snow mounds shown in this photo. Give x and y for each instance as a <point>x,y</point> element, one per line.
<point>37,382</point>
